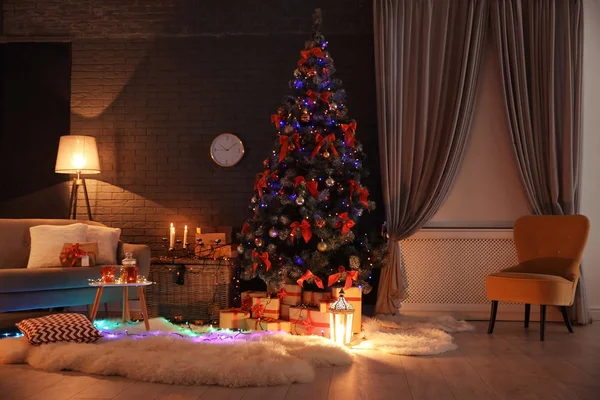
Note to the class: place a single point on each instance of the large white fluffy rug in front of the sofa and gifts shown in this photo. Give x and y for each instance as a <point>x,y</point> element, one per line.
<point>244,360</point>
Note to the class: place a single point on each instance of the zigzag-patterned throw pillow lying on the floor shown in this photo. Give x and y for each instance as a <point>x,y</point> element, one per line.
<point>59,328</point>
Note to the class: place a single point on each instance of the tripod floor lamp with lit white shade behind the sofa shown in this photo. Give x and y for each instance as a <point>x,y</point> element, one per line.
<point>77,155</point>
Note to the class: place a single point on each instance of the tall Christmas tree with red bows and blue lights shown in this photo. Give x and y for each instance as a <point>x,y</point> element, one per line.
<point>309,197</point>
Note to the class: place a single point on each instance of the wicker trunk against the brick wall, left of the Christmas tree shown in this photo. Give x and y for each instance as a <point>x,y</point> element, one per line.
<point>191,292</point>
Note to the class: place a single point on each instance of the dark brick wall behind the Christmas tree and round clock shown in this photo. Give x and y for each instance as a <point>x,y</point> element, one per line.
<point>156,80</point>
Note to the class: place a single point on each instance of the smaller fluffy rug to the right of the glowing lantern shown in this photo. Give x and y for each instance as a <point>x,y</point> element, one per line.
<point>411,336</point>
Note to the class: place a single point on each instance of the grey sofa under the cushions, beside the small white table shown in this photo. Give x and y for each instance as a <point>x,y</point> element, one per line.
<point>23,288</point>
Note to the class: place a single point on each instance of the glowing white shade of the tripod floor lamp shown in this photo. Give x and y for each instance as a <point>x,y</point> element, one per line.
<point>77,154</point>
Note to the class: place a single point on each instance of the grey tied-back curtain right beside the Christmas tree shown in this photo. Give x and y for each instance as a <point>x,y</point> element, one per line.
<point>427,59</point>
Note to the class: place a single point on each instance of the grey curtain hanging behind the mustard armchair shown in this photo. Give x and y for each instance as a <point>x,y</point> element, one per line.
<point>539,45</point>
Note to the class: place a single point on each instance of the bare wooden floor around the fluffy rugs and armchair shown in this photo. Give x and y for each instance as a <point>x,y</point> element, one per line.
<point>511,364</point>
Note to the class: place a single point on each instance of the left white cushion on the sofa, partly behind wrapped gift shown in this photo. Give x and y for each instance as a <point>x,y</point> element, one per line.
<point>47,242</point>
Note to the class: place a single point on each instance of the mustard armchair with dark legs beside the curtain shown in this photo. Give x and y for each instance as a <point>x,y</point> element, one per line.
<point>549,249</point>
